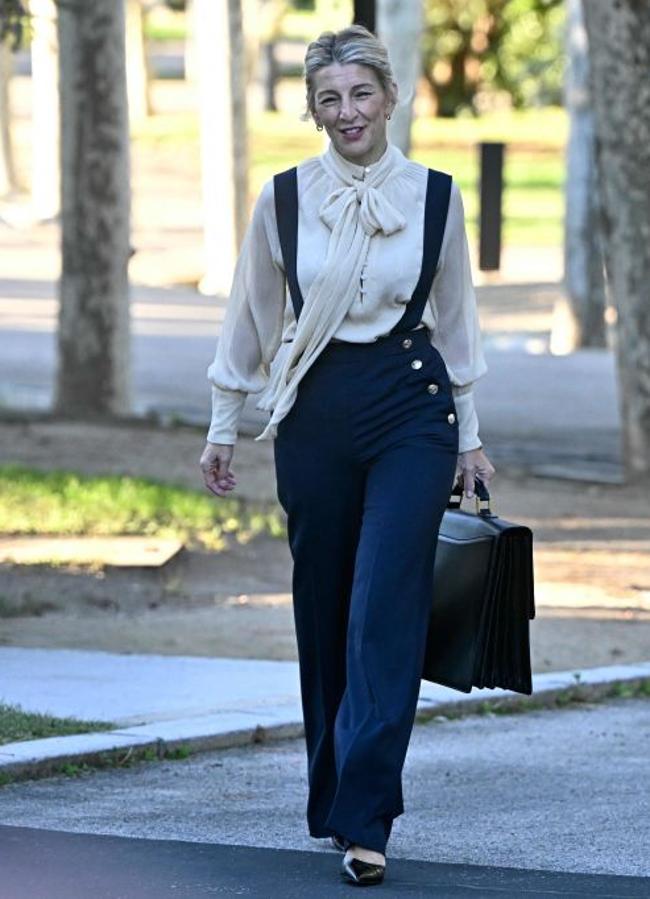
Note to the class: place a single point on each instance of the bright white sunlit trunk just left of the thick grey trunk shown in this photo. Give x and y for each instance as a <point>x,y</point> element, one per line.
<point>46,186</point>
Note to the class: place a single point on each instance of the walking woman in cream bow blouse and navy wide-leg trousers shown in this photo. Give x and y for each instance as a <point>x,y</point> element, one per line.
<point>374,355</point>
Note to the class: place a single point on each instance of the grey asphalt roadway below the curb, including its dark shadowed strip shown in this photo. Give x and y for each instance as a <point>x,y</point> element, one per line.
<point>548,791</point>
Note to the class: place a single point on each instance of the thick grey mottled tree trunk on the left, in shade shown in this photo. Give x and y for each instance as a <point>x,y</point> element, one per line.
<point>93,372</point>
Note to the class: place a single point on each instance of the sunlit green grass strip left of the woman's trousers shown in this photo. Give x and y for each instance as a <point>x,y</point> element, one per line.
<point>66,503</point>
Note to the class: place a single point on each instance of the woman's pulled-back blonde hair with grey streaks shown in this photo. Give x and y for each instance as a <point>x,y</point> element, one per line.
<point>354,44</point>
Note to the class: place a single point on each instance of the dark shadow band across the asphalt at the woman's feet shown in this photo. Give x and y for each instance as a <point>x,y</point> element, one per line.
<point>56,865</point>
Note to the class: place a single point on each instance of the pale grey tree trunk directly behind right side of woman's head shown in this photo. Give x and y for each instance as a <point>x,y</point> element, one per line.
<point>400,28</point>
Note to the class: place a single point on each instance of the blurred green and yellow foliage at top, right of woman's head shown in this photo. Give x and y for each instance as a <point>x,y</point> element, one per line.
<point>473,46</point>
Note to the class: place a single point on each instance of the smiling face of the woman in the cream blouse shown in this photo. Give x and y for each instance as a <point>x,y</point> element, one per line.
<point>352,106</point>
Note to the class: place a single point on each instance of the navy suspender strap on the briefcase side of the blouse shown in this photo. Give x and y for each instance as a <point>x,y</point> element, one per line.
<point>436,207</point>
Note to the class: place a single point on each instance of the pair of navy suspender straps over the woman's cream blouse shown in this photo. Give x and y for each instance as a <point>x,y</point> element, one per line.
<point>436,207</point>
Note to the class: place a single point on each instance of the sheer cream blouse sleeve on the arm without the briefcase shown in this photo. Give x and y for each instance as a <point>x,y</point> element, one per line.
<point>252,327</point>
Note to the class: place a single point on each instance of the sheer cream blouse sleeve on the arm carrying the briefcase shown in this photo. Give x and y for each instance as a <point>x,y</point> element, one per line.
<point>456,333</point>
